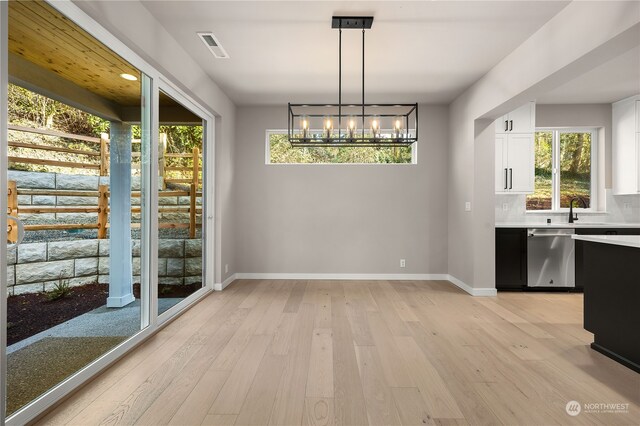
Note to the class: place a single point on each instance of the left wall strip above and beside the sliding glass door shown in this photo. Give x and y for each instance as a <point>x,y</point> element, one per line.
<point>132,23</point>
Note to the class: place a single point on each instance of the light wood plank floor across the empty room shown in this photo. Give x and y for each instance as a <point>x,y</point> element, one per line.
<point>361,352</point>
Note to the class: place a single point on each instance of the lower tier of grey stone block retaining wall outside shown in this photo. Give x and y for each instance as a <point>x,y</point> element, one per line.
<point>38,267</point>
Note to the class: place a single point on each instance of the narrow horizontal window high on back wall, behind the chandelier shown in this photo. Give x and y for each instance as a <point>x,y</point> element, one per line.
<point>280,151</point>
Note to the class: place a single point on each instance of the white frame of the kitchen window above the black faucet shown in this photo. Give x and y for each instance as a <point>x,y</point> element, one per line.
<point>557,174</point>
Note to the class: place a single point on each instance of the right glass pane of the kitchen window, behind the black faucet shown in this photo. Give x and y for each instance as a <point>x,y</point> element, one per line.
<point>575,167</point>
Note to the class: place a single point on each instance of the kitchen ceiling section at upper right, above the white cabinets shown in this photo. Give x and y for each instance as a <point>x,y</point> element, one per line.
<point>614,80</point>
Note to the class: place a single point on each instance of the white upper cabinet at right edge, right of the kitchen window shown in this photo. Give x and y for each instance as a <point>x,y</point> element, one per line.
<point>626,146</point>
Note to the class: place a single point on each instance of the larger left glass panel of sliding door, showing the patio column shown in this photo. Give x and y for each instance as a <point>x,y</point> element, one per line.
<point>74,173</point>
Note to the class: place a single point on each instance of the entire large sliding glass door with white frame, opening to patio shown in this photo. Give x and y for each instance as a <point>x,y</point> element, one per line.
<point>106,167</point>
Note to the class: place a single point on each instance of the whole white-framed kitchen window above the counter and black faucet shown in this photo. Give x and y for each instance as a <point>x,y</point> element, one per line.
<point>565,168</point>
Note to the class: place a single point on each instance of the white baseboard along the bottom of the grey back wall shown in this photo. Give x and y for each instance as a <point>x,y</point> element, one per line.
<point>399,277</point>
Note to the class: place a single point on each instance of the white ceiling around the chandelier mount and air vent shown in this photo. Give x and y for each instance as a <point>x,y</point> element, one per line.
<point>416,51</point>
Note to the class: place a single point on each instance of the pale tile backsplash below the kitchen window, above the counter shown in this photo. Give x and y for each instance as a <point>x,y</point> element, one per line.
<point>620,209</point>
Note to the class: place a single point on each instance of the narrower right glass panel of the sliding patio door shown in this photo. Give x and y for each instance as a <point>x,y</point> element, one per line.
<point>180,189</point>
